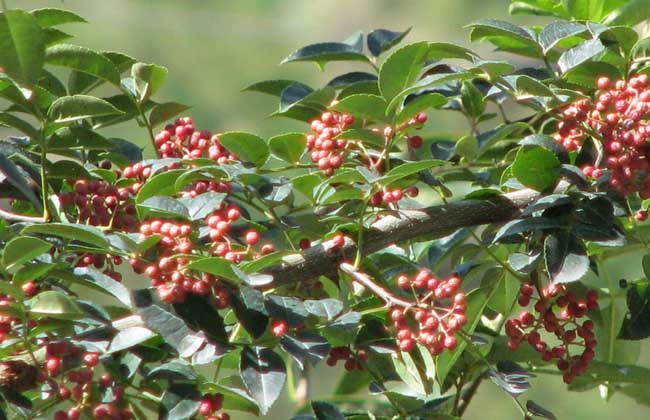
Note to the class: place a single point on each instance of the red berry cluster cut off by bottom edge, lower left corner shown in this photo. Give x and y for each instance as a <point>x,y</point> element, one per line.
<point>79,385</point>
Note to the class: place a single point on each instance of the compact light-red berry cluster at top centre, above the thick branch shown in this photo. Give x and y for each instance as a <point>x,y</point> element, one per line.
<point>326,151</point>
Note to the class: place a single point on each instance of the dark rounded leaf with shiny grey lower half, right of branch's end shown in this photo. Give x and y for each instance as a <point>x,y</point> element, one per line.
<point>566,257</point>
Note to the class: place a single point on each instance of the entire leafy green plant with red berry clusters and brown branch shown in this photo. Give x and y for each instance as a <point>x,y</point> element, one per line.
<point>201,278</point>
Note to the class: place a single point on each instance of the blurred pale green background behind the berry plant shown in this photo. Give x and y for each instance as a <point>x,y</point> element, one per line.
<point>214,48</point>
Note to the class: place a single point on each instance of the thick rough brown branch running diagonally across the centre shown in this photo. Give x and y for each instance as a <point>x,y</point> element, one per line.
<point>429,223</point>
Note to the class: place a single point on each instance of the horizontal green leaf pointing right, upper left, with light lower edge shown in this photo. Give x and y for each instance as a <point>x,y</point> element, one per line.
<point>79,107</point>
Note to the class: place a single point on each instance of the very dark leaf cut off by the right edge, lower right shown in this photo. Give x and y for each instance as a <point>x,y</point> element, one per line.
<point>636,325</point>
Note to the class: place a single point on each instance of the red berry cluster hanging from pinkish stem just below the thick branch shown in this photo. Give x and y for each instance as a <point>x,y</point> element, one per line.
<point>436,316</point>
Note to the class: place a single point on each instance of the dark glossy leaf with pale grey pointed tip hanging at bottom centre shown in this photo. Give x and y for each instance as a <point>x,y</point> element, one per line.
<point>264,374</point>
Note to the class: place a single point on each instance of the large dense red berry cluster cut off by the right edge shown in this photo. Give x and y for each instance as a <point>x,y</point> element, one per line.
<point>618,120</point>
